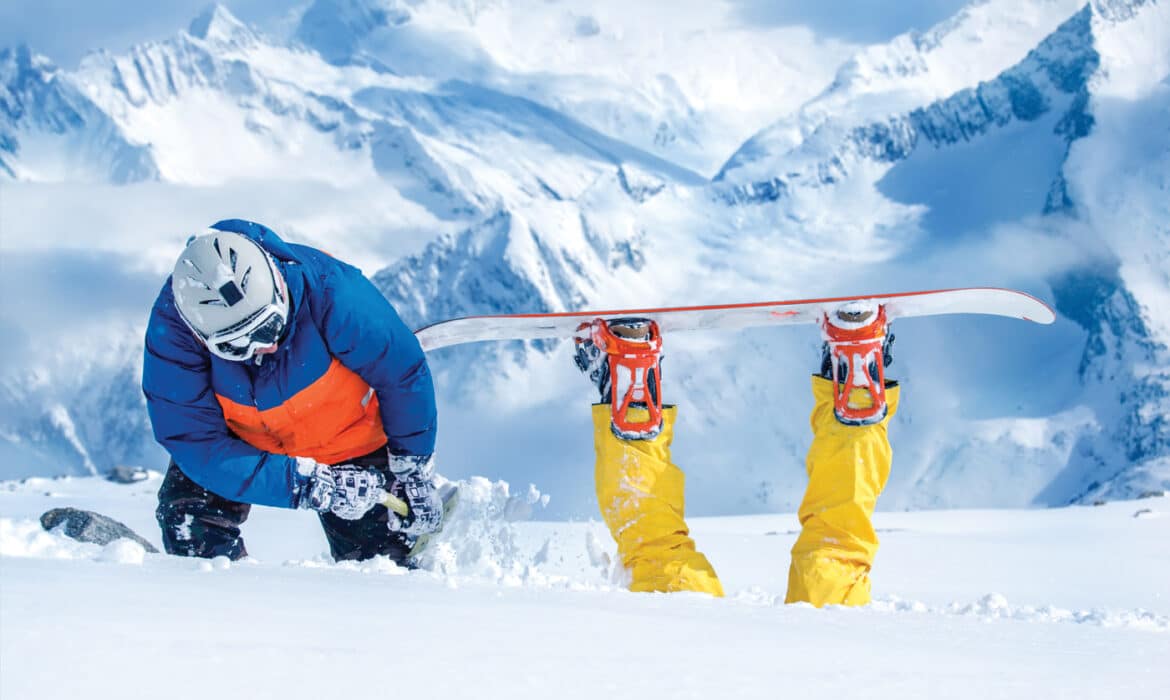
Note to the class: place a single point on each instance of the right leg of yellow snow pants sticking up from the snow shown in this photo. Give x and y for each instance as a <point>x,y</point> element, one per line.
<point>848,470</point>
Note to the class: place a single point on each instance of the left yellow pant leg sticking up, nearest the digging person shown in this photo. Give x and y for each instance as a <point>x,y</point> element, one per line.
<point>641,493</point>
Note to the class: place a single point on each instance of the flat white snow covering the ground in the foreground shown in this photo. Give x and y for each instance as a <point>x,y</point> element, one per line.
<point>1070,602</point>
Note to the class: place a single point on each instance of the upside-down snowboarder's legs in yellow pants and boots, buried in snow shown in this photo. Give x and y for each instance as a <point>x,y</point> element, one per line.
<point>641,491</point>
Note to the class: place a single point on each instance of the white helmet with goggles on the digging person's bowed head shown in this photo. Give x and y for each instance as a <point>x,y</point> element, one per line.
<point>230,292</point>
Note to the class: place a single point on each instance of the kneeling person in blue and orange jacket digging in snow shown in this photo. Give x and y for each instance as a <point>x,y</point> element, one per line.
<point>277,375</point>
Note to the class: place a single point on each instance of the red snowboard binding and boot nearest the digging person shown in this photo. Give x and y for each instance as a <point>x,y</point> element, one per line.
<point>629,375</point>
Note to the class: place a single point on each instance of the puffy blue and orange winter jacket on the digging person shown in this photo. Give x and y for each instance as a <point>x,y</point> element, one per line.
<point>348,379</point>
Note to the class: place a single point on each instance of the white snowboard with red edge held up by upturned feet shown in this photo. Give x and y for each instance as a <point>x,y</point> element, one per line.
<point>533,327</point>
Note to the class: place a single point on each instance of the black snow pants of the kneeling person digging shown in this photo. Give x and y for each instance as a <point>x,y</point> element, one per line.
<point>196,523</point>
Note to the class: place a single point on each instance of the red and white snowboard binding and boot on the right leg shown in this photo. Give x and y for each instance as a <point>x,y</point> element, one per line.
<point>858,348</point>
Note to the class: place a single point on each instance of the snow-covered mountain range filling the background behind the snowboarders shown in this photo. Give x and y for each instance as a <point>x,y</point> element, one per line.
<point>527,157</point>
